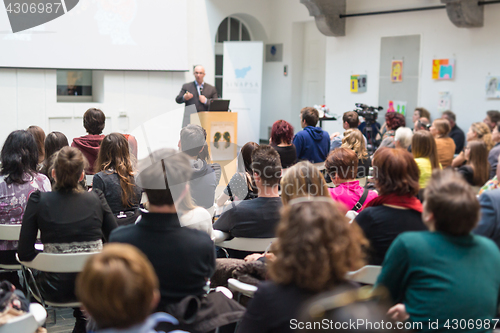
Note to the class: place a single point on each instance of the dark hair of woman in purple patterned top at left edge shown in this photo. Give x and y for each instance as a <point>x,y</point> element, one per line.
<point>19,156</point>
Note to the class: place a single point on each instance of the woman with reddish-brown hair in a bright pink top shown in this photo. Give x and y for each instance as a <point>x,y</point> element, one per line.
<point>341,164</point>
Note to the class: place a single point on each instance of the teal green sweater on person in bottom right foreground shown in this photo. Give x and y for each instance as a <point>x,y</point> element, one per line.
<point>443,277</point>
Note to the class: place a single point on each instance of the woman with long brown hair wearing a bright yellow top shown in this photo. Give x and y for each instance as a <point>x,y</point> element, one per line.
<point>424,151</point>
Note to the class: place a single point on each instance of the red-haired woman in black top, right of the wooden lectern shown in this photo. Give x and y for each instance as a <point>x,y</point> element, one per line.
<point>281,140</point>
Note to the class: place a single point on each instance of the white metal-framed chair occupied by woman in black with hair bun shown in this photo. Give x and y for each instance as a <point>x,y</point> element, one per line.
<point>54,263</point>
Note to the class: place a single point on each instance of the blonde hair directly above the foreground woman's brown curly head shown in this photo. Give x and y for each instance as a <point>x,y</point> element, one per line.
<point>303,180</point>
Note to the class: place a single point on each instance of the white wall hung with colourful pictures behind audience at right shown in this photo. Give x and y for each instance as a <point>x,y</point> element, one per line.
<point>475,51</point>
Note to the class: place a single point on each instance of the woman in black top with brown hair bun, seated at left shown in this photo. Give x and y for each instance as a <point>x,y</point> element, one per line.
<point>70,220</point>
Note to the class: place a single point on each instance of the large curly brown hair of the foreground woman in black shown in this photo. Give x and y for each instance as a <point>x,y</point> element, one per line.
<point>316,246</point>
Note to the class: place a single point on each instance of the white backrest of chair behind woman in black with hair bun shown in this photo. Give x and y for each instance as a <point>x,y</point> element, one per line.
<point>58,263</point>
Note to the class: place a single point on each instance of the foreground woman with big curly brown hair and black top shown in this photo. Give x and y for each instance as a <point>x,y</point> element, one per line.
<point>315,249</point>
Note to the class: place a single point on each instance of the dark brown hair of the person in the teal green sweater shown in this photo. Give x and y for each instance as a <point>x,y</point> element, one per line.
<point>452,202</point>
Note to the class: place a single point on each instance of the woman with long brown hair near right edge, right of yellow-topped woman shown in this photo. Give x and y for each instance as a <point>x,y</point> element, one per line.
<point>476,170</point>
